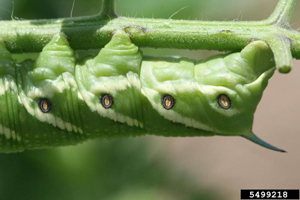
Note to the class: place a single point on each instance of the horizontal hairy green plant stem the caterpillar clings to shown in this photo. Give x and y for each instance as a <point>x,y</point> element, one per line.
<point>94,31</point>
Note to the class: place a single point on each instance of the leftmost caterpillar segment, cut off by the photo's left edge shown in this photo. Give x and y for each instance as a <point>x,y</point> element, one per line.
<point>10,120</point>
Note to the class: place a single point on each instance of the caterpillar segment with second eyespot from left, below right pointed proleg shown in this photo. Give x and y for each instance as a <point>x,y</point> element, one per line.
<point>117,76</point>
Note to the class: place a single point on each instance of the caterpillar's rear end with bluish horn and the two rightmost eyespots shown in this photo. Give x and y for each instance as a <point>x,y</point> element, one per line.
<point>218,95</point>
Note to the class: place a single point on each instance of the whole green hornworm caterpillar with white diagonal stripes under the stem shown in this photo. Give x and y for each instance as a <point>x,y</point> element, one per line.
<point>57,100</point>
